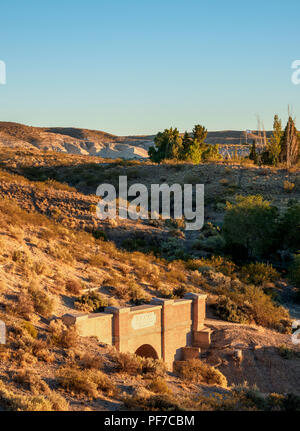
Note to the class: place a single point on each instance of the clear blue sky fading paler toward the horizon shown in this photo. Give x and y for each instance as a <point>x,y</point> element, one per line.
<point>139,66</point>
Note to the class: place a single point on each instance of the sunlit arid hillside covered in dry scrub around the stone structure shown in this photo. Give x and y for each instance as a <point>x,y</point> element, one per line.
<point>57,257</point>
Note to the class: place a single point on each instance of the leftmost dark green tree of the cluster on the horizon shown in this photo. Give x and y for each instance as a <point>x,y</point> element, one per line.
<point>168,145</point>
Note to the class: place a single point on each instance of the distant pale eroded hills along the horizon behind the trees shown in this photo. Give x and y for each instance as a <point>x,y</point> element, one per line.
<point>95,142</point>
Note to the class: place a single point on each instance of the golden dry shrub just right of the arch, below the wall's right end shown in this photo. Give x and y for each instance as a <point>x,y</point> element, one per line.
<point>199,372</point>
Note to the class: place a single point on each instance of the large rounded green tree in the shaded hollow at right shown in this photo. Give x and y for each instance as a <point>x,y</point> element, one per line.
<point>250,224</point>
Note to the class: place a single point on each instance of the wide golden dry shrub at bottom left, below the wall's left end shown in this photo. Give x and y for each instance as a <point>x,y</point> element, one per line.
<point>85,382</point>
